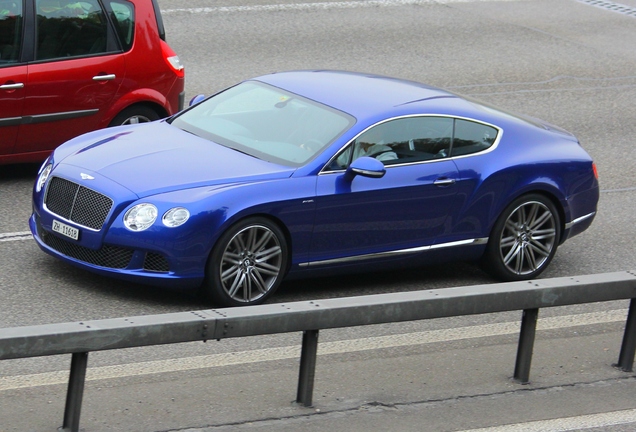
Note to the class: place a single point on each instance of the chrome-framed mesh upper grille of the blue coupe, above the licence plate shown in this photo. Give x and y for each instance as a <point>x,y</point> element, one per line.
<point>77,203</point>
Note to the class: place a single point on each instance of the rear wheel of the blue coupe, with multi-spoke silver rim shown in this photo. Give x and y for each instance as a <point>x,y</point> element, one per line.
<point>524,239</point>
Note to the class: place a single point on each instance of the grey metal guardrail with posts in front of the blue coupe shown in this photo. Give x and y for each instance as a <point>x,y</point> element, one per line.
<point>309,317</point>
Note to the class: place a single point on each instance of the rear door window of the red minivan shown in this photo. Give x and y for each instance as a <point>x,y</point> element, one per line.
<point>70,29</point>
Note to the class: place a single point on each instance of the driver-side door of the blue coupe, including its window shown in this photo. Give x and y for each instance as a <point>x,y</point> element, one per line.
<point>406,208</point>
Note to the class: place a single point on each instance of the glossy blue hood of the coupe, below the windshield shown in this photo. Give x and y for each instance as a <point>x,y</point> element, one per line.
<point>157,157</point>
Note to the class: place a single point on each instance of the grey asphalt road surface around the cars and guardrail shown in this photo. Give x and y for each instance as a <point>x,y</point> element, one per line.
<point>569,62</point>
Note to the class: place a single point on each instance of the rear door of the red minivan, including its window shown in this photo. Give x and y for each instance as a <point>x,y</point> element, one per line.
<point>77,72</point>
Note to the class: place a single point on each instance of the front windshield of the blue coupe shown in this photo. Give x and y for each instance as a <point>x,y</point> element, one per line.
<point>265,122</point>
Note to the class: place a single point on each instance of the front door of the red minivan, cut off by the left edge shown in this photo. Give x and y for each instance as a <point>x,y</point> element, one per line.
<point>12,74</point>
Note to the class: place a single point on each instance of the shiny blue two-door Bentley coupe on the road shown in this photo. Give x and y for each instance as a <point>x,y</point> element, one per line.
<point>311,173</point>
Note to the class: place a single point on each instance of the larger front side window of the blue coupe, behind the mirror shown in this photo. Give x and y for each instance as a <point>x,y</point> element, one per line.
<point>412,139</point>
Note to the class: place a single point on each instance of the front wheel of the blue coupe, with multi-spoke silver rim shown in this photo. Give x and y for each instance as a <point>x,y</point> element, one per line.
<point>247,264</point>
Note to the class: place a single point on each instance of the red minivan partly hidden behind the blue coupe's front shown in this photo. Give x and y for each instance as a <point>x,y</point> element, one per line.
<point>67,68</point>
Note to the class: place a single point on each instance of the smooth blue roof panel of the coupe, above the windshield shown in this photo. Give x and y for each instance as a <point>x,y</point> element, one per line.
<point>359,94</point>
